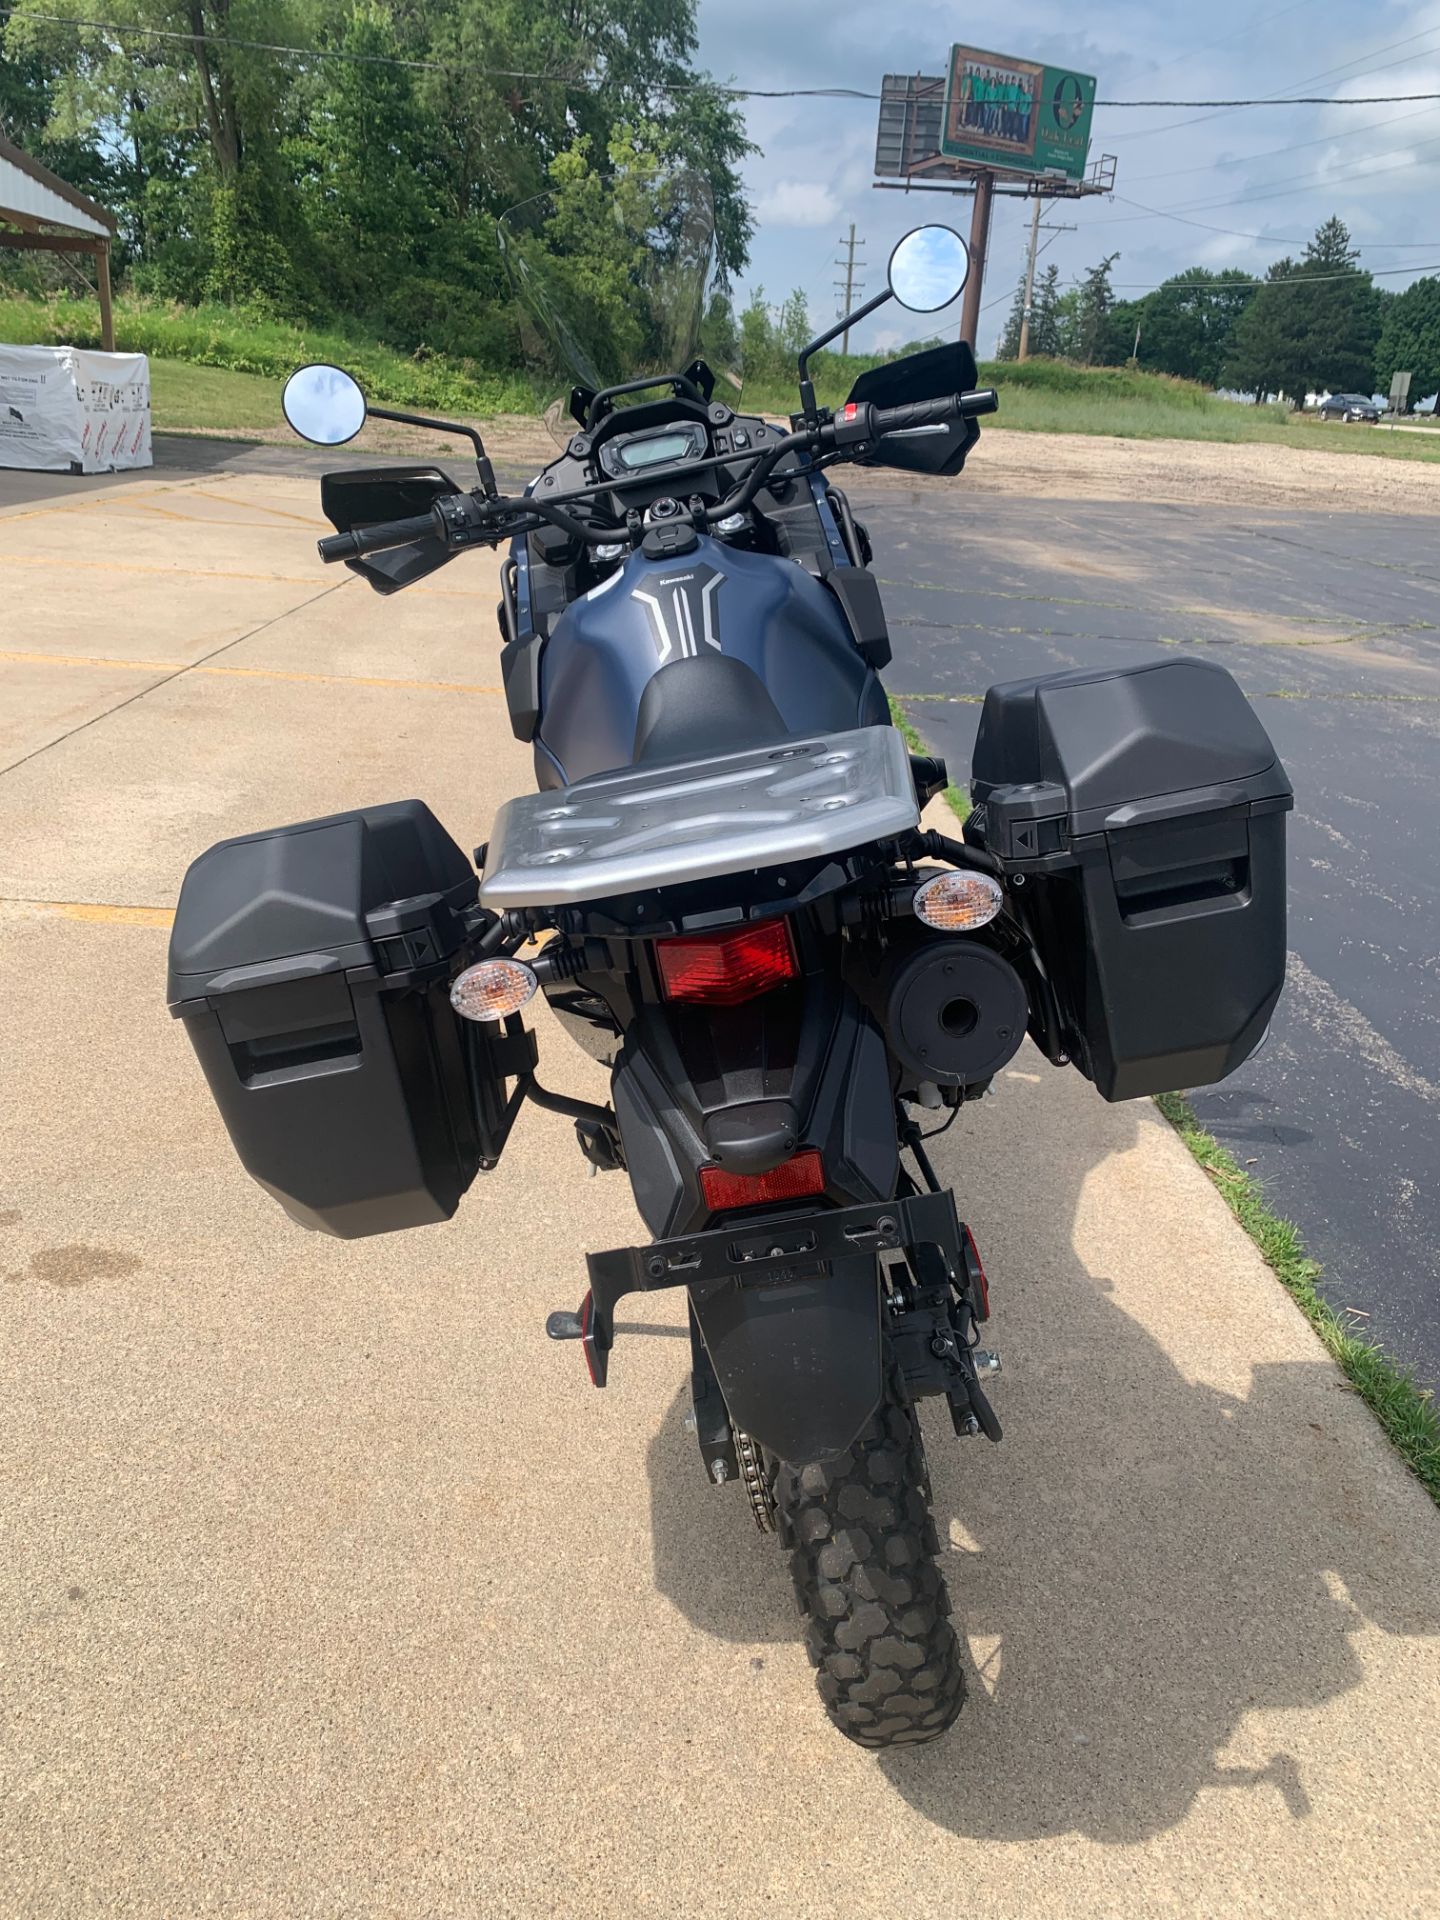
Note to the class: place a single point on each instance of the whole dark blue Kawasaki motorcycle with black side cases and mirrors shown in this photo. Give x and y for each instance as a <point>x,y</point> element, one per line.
<point>740,913</point>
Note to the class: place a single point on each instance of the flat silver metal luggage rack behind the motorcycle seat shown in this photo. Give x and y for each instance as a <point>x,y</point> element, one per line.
<point>732,813</point>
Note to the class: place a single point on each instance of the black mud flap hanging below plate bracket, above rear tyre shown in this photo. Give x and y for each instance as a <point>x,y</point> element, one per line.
<point>798,1362</point>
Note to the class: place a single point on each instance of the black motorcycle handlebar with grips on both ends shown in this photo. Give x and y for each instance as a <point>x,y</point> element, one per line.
<point>471,519</point>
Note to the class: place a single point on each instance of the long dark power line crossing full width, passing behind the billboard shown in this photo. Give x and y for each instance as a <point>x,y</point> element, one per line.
<point>571,78</point>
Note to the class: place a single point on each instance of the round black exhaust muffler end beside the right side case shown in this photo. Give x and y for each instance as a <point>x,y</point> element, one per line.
<point>955,1013</point>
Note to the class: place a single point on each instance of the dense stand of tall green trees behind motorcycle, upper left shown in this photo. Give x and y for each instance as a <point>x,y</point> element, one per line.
<point>370,189</point>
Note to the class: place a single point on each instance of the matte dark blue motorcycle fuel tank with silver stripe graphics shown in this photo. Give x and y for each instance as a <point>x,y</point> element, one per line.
<point>756,608</point>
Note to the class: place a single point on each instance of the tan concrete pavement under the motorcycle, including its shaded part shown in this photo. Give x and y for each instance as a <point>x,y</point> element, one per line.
<point>333,1589</point>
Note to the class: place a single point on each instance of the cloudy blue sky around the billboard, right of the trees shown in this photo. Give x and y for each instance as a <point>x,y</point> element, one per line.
<point>1266,176</point>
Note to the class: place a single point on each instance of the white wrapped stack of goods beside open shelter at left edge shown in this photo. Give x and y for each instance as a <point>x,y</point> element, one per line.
<point>74,410</point>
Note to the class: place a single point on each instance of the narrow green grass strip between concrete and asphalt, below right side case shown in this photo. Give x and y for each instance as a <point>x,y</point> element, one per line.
<point>1403,1408</point>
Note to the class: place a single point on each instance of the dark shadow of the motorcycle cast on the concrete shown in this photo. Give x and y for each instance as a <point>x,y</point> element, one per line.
<point>1141,1564</point>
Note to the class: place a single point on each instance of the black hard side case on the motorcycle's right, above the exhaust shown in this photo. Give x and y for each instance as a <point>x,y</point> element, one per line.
<point>1140,815</point>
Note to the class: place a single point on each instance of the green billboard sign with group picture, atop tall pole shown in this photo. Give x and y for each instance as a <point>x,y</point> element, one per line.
<point>1017,116</point>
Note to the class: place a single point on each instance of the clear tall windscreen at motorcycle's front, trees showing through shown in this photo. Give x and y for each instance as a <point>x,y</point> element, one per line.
<point>615,279</point>
